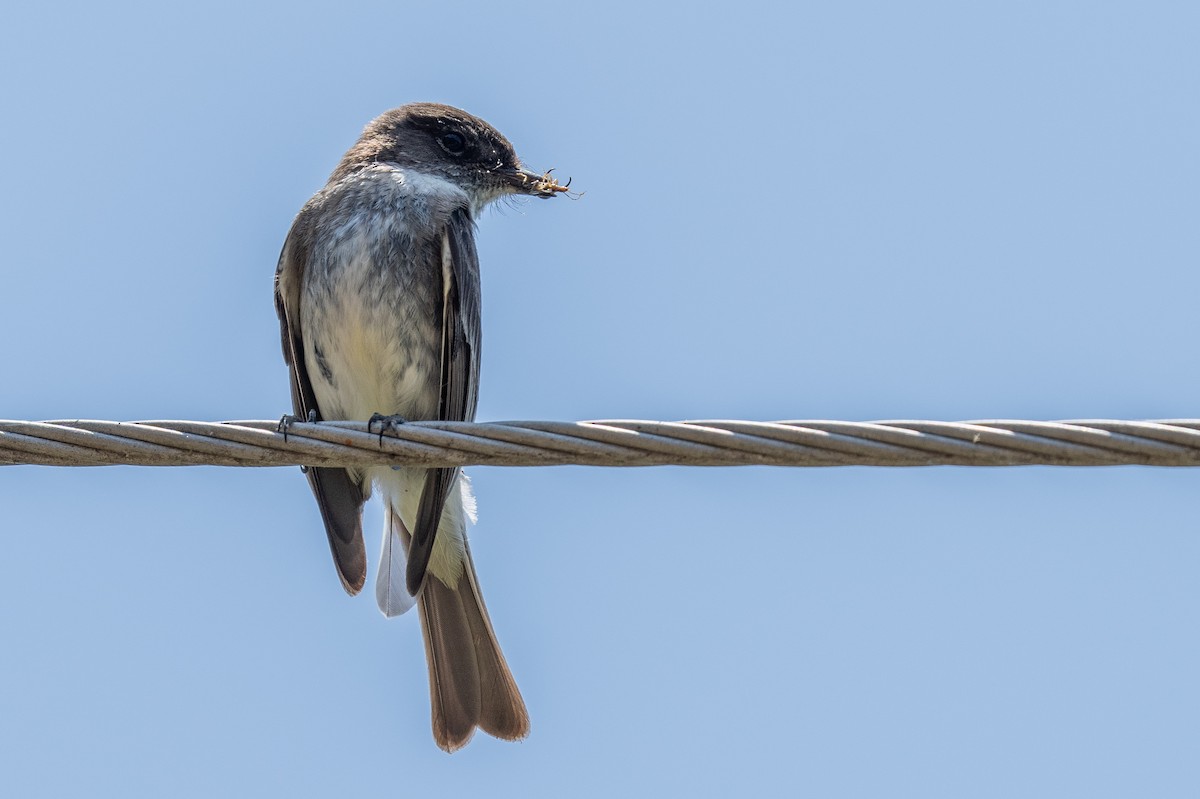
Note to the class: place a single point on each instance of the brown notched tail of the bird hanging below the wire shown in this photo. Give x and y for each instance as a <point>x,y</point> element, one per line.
<point>470,682</point>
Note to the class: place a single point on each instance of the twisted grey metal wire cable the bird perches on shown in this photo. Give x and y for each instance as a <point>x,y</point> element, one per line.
<point>620,443</point>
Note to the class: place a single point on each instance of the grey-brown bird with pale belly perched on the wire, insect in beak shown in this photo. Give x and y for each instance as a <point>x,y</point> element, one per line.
<point>379,298</point>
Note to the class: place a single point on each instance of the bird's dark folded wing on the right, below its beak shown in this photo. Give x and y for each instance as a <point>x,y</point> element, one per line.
<point>459,393</point>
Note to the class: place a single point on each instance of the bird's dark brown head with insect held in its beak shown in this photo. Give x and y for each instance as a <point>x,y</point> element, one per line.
<point>449,143</point>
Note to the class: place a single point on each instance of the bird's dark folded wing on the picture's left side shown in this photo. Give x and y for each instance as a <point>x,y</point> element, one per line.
<point>340,497</point>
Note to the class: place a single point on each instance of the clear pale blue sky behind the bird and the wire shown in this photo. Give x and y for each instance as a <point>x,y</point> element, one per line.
<point>863,211</point>
